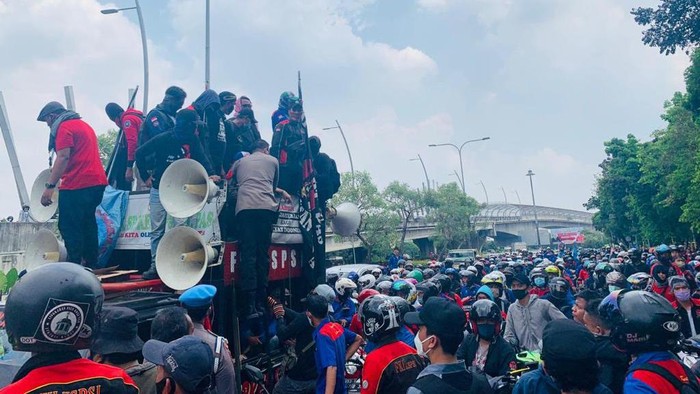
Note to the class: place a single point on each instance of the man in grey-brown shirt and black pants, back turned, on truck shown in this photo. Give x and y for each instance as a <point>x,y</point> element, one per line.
<point>256,211</point>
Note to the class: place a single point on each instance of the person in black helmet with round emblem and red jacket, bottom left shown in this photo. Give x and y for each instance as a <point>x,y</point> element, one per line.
<point>53,312</point>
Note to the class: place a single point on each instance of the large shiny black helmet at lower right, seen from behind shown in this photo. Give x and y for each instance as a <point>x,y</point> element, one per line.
<point>642,321</point>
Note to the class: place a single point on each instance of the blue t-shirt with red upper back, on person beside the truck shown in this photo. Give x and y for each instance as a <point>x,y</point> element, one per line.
<point>332,341</point>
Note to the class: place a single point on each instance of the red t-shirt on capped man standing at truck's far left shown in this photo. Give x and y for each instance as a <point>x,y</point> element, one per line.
<point>84,166</point>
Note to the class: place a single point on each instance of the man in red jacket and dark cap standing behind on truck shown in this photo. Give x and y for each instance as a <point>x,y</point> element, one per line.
<point>121,173</point>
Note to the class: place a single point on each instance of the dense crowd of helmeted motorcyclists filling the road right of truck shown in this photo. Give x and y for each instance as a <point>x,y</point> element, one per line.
<point>635,305</point>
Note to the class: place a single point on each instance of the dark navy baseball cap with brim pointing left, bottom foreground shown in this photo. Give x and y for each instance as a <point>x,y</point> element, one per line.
<point>188,360</point>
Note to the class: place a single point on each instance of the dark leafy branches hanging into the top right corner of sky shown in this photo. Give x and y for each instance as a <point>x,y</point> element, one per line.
<point>673,25</point>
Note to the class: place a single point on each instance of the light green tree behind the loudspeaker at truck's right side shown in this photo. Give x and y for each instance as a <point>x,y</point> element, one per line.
<point>377,231</point>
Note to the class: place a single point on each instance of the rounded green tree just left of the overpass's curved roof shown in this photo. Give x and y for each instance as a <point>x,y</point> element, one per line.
<point>451,211</point>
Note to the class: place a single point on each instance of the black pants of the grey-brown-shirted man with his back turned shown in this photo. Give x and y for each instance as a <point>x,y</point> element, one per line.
<point>255,232</point>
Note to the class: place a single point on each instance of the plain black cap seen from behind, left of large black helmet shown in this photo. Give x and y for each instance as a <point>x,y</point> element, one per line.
<point>558,337</point>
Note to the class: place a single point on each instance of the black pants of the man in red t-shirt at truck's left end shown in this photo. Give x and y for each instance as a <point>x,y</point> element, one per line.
<point>77,223</point>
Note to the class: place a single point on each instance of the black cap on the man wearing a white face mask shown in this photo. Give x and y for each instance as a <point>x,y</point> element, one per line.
<point>440,316</point>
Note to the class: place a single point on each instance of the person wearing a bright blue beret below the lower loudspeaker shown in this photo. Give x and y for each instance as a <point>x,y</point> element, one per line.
<point>198,303</point>
